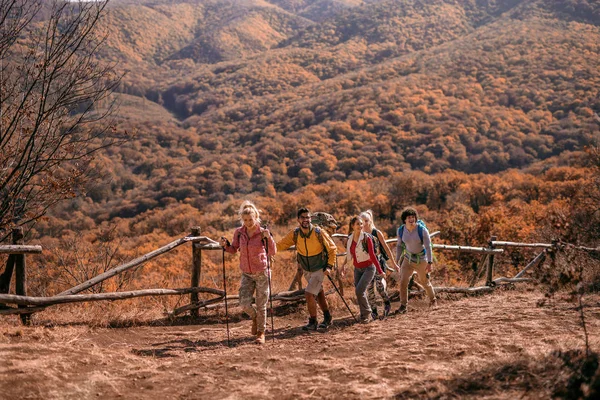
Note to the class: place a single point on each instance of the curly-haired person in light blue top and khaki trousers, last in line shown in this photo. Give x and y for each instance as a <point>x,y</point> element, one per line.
<point>414,249</point>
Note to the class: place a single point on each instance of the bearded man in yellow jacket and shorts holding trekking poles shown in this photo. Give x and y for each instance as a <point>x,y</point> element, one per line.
<point>316,253</point>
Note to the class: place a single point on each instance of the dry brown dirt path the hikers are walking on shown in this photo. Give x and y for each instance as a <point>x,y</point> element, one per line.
<point>398,357</point>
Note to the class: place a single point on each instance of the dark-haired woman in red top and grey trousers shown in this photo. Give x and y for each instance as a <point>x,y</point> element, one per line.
<point>360,250</point>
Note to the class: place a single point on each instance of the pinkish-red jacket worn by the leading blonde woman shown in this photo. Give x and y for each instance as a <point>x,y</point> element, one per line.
<point>253,256</point>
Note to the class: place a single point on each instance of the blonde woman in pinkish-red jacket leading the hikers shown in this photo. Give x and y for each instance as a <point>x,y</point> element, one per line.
<point>250,240</point>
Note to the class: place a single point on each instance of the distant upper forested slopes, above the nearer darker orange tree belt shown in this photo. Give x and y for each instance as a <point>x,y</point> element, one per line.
<point>376,88</point>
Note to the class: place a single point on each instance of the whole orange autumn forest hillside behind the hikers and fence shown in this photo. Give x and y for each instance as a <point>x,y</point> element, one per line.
<point>482,113</point>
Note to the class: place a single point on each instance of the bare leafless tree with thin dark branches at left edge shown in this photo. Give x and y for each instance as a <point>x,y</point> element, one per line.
<point>50,87</point>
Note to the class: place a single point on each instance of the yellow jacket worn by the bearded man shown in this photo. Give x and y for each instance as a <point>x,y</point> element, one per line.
<point>309,248</point>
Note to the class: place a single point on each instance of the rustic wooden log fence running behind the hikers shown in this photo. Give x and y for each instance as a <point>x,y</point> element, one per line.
<point>26,305</point>
